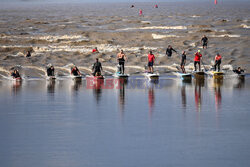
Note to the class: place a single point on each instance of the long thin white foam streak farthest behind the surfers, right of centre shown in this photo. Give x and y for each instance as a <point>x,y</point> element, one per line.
<point>157,28</point>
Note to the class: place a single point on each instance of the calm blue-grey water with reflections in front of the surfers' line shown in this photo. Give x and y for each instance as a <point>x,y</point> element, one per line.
<point>67,123</point>
